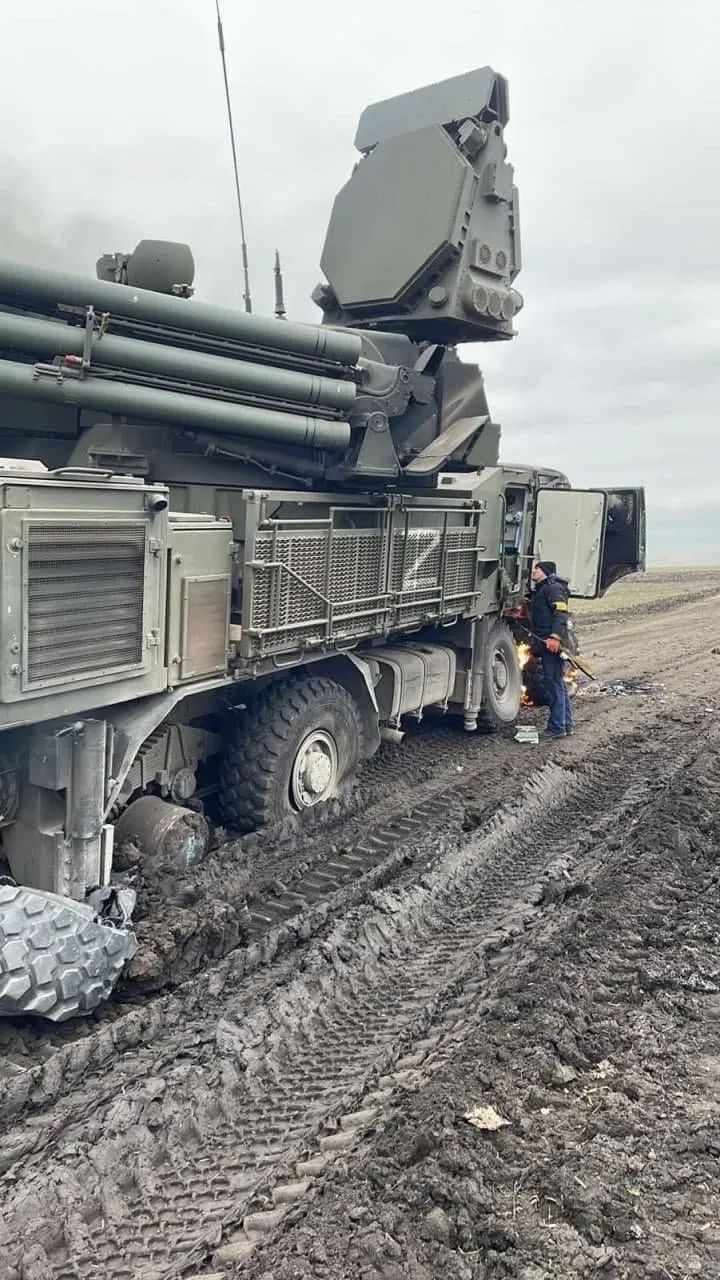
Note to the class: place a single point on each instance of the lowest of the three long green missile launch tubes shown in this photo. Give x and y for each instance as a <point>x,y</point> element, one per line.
<point>172,408</point>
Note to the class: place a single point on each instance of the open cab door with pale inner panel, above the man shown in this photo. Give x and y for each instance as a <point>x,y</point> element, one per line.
<point>596,537</point>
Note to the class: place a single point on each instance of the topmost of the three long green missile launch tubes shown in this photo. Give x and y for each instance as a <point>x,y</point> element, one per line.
<point>38,289</point>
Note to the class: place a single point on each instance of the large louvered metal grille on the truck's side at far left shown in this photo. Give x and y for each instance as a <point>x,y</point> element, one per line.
<point>85,597</point>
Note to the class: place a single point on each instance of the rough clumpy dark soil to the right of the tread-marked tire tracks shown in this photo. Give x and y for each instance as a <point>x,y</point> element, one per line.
<point>649,934</point>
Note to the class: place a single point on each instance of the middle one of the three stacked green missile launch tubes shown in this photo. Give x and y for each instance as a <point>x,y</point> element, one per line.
<point>48,339</point>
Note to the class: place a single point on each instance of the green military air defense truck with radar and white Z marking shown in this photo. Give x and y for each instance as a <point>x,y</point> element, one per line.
<point>239,552</point>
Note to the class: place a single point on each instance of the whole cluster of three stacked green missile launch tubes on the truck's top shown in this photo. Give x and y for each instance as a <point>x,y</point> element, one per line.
<point>75,341</point>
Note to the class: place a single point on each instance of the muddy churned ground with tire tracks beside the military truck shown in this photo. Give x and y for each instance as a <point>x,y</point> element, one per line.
<point>526,936</point>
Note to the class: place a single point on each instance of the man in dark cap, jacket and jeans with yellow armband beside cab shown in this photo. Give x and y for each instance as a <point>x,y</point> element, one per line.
<point>549,624</point>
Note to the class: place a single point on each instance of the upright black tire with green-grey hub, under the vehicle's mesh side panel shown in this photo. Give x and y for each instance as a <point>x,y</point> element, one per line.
<point>295,748</point>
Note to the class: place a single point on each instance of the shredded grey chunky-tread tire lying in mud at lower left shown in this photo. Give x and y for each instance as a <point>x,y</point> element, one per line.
<point>58,958</point>
